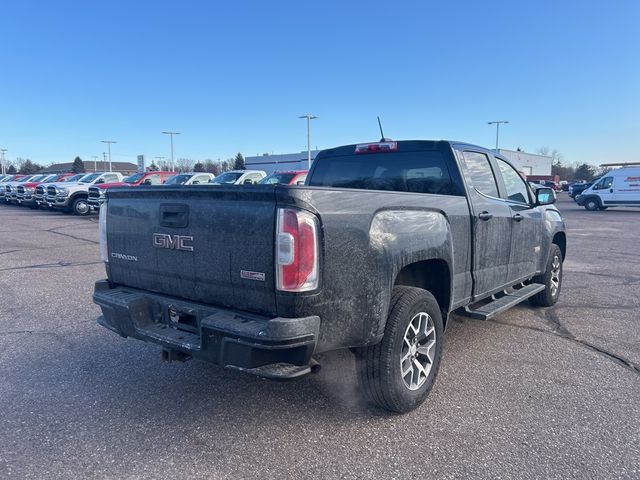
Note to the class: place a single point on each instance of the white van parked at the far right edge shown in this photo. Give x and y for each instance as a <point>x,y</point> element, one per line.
<point>618,188</point>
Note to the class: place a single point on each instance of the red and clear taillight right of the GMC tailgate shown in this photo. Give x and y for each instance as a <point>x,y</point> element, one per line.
<point>296,251</point>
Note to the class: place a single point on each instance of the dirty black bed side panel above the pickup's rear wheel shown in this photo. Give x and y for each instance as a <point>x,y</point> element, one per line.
<point>367,237</point>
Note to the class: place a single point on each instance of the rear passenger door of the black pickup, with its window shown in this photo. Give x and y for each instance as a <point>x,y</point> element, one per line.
<point>491,223</point>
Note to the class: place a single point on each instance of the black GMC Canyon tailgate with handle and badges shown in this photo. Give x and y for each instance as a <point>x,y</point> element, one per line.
<point>210,244</point>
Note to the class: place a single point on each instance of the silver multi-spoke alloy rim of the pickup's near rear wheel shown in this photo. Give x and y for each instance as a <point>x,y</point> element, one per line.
<point>418,348</point>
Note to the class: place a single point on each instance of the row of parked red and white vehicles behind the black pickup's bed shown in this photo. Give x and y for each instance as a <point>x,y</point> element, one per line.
<point>81,194</point>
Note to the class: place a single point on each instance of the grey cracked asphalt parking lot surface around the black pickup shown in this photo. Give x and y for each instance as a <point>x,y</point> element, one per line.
<point>536,393</point>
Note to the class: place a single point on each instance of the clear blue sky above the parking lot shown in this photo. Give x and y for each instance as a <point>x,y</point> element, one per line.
<point>234,76</point>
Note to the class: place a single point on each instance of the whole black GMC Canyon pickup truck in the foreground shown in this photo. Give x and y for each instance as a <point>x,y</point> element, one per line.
<point>373,253</point>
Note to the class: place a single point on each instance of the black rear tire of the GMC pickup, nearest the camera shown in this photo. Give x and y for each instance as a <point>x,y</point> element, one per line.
<point>380,367</point>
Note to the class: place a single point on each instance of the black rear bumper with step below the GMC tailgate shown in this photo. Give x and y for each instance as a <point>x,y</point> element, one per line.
<point>222,336</point>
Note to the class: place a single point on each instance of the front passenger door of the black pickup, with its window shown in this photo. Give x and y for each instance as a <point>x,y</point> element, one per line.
<point>527,223</point>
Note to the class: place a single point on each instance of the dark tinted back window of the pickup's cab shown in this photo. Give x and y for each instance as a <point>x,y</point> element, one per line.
<point>431,171</point>
